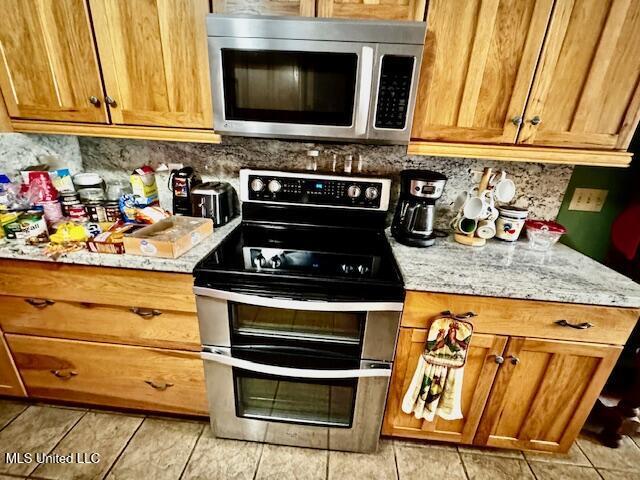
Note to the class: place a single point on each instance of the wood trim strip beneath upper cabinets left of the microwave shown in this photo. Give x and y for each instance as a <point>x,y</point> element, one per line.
<point>118,131</point>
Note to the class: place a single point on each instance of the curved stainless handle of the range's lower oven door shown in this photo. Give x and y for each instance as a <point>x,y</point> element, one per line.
<point>224,357</point>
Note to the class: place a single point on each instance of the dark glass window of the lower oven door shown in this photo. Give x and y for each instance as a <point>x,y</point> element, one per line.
<point>323,402</point>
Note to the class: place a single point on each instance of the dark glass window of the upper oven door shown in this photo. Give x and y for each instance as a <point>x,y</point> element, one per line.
<point>335,327</point>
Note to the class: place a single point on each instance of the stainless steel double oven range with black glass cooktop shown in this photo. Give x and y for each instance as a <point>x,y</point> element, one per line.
<point>299,310</point>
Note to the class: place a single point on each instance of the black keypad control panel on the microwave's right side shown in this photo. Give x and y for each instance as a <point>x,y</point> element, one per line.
<point>396,73</point>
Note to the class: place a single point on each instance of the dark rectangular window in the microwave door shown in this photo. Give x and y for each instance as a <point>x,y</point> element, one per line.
<point>289,87</point>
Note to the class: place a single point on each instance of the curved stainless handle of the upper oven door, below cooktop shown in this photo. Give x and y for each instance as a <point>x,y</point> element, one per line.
<point>309,305</point>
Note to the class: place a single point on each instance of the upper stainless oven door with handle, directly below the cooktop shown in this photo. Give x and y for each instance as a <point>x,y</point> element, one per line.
<point>357,330</point>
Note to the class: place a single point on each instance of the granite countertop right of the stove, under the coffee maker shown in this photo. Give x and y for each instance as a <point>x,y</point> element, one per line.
<point>512,270</point>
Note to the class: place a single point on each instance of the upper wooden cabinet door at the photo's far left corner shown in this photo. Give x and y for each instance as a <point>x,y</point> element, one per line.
<point>49,69</point>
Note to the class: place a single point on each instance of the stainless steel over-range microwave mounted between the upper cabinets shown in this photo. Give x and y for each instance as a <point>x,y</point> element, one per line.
<point>314,78</point>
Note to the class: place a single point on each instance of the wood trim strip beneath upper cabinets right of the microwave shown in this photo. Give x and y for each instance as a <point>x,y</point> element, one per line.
<point>521,153</point>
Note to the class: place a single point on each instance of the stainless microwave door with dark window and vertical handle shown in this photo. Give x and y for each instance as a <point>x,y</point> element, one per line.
<point>291,87</point>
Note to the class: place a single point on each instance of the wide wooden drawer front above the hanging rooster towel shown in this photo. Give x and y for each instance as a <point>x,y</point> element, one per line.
<point>524,318</point>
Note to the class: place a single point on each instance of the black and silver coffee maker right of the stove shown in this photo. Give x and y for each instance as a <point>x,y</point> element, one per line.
<point>415,212</point>
